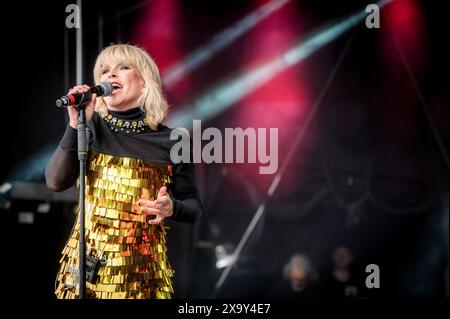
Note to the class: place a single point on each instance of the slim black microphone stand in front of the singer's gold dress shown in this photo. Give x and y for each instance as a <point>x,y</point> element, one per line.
<point>82,157</point>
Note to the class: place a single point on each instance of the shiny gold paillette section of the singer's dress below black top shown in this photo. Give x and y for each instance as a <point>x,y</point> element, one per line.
<point>134,261</point>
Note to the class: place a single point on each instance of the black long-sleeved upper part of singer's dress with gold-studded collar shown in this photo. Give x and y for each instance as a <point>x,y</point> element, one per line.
<point>112,135</point>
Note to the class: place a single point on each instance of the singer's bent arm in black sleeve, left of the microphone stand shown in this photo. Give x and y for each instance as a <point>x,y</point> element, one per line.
<point>63,167</point>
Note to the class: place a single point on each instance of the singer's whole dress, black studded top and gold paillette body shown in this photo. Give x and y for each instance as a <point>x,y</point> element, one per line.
<point>135,263</point>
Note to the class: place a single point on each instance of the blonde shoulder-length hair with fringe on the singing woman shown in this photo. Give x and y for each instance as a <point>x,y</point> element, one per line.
<point>152,100</point>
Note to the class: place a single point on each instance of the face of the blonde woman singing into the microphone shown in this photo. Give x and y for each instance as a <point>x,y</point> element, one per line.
<point>127,83</point>
